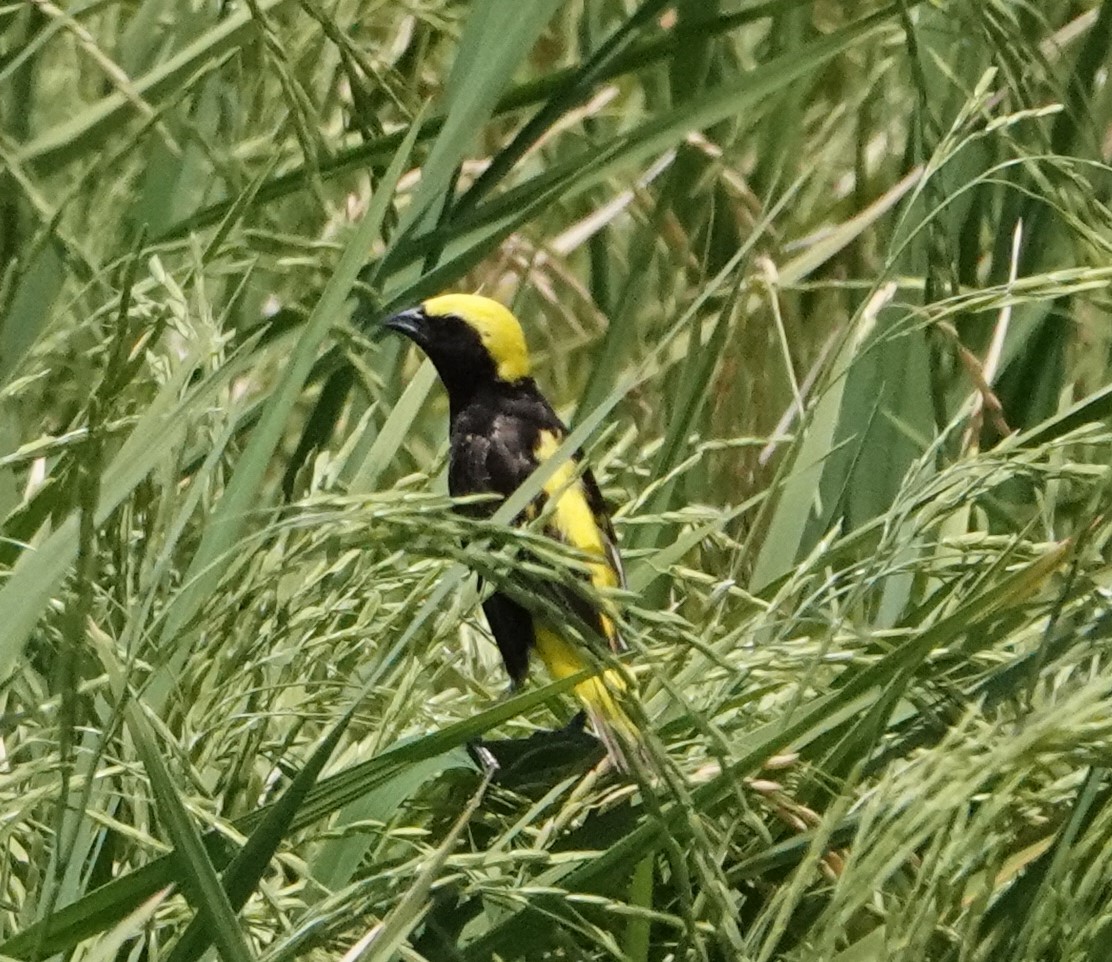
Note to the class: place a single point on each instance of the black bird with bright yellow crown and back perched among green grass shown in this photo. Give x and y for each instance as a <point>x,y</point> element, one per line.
<point>501,429</point>
